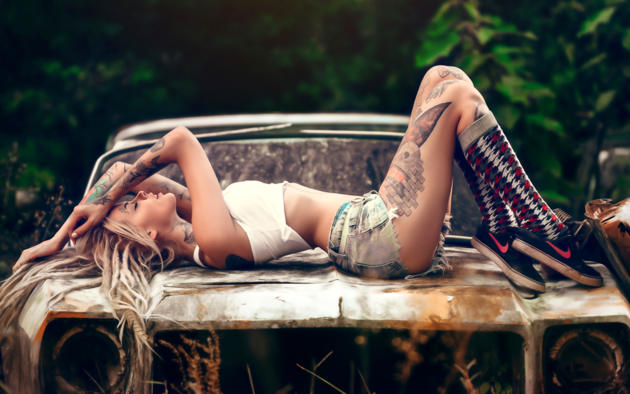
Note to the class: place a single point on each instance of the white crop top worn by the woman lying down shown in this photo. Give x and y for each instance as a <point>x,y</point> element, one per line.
<point>259,209</point>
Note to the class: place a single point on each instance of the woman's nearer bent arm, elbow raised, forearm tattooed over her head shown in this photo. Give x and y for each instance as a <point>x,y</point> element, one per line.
<point>215,231</point>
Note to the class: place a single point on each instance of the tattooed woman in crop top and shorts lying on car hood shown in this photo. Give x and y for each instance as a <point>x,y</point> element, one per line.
<point>389,234</point>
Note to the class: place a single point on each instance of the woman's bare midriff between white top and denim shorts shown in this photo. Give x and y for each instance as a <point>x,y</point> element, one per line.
<point>310,212</point>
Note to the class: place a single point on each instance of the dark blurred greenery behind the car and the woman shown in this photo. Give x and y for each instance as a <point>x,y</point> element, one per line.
<point>556,74</point>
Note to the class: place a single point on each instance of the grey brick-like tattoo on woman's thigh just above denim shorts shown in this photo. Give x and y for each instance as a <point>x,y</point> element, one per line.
<point>404,179</point>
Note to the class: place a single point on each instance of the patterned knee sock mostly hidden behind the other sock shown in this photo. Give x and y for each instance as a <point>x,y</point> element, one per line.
<point>495,214</point>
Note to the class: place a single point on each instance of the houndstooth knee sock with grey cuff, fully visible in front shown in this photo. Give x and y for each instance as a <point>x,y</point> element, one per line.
<point>491,157</point>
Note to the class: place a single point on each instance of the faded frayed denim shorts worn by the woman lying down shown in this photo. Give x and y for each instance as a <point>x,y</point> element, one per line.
<point>362,239</point>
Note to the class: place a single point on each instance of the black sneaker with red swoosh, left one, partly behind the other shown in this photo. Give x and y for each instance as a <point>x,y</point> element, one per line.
<point>515,265</point>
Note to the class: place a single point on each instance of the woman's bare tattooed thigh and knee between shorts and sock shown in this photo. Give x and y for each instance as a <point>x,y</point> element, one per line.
<point>418,182</point>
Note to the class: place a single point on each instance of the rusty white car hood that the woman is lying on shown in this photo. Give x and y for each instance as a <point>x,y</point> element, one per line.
<point>474,294</point>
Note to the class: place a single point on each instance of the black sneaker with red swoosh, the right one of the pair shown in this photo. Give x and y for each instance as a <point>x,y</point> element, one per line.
<point>561,254</point>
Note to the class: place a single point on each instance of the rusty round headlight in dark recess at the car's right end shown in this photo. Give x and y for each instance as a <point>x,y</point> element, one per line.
<point>586,359</point>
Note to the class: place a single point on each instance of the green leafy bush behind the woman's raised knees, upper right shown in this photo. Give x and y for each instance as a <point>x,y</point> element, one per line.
<point>558,84</point>
